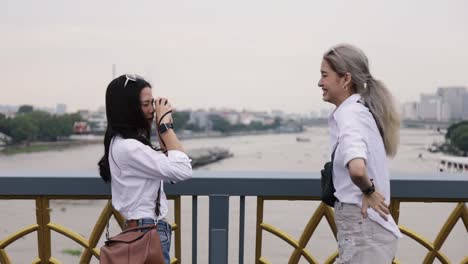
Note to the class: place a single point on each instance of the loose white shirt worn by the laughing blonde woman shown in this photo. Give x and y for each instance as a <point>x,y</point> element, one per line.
<point>354,127</point>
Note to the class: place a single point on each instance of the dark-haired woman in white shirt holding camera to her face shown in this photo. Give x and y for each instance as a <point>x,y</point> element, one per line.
<point>133,166</point>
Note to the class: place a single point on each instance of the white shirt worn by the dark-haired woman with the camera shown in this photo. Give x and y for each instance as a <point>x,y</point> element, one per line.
<point>137,172</point>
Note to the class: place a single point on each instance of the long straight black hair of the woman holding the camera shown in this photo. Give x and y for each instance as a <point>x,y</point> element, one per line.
<point>124,117</point>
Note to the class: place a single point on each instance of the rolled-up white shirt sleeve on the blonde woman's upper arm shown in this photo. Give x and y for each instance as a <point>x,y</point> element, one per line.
<point>352,141</point>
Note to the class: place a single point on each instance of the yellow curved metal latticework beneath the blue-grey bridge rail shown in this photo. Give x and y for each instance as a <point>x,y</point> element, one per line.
<point>44,227</point>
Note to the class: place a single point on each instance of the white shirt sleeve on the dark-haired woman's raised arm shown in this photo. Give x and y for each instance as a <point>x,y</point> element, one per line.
<point>143,161</point>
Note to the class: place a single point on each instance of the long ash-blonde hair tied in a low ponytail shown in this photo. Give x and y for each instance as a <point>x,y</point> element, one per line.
<point>345,58</point>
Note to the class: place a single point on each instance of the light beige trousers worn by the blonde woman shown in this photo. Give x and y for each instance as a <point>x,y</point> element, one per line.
<point>362,240</point>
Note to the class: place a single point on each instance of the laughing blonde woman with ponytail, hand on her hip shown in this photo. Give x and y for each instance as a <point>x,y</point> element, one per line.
<point>364,130</point>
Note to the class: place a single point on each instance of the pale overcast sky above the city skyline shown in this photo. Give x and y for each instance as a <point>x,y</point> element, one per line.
<point>255,54</point>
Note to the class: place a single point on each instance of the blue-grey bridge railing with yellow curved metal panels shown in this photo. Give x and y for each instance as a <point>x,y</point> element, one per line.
<point>221,188</point>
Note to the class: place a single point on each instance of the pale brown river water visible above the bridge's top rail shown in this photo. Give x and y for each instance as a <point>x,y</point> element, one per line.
<point>273,152</point>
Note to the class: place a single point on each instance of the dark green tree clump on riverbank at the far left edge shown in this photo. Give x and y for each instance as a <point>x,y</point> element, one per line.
<point>38,125</point>
